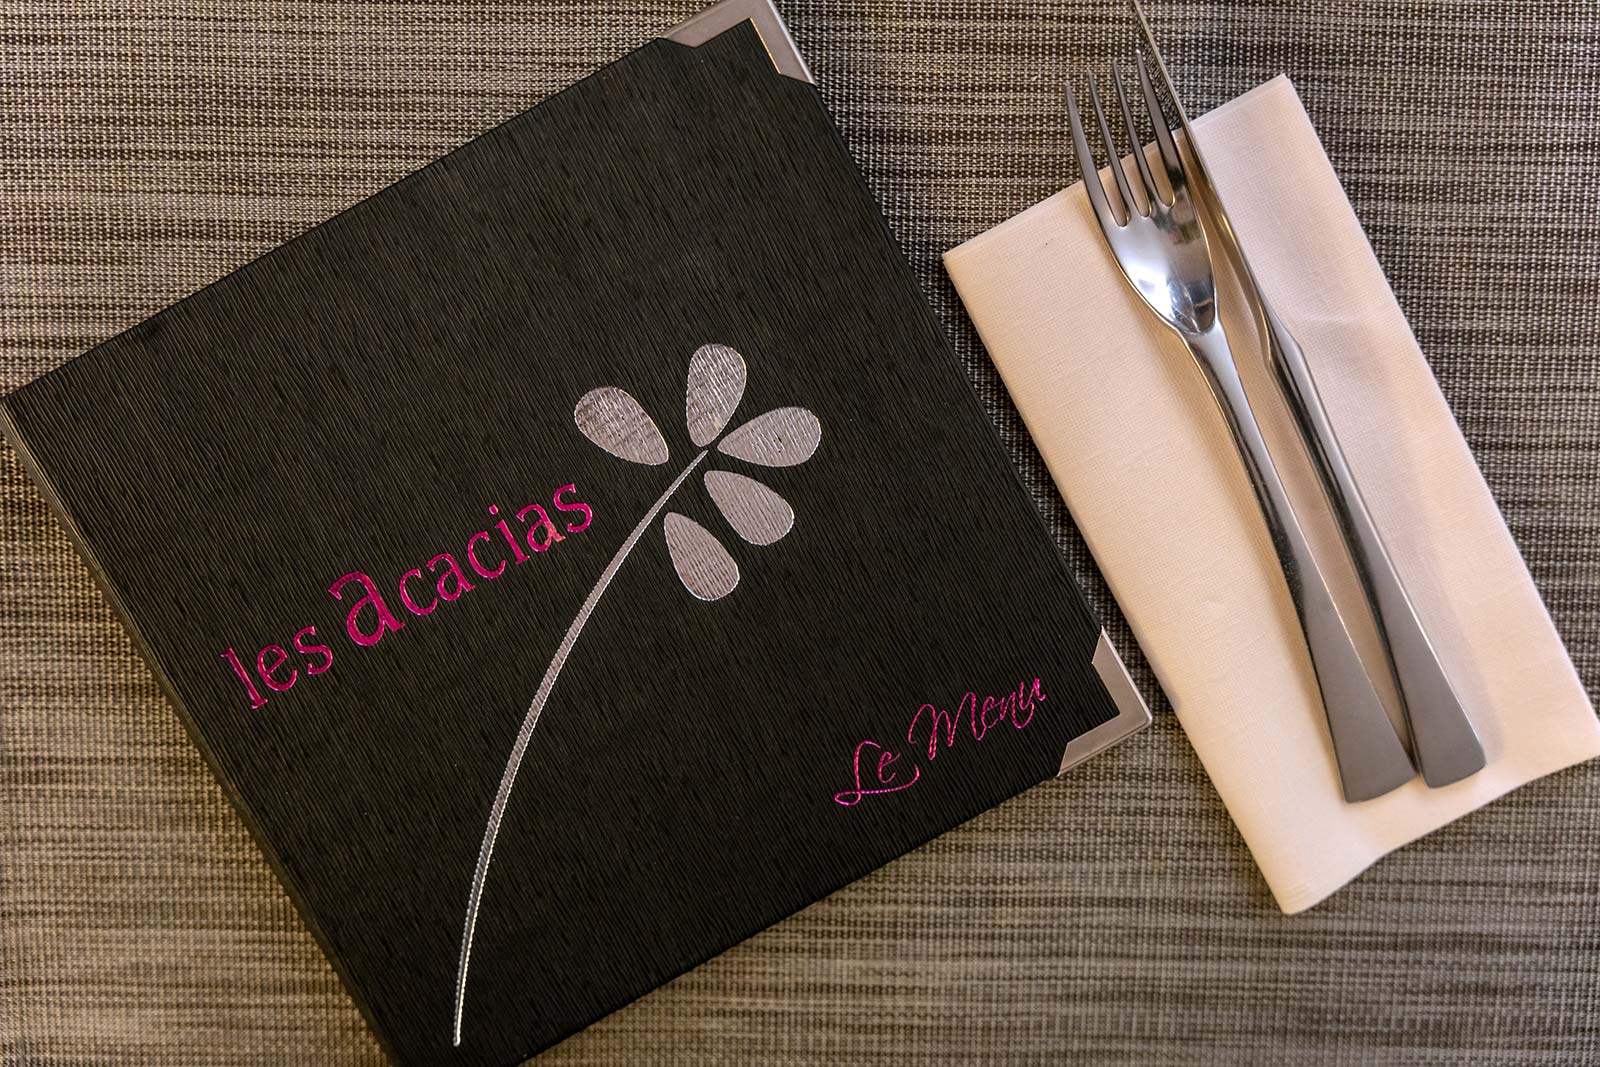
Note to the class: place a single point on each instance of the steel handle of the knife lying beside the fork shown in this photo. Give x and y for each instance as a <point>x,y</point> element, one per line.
<point>1446,743</point>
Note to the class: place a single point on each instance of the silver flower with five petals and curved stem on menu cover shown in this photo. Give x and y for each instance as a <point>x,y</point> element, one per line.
<point>617,423</point>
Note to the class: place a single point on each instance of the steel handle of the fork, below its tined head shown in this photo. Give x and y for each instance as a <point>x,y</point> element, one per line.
<point>1369,753</point>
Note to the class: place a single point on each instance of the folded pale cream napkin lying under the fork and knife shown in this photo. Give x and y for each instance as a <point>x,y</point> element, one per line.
<point>1140,452</point>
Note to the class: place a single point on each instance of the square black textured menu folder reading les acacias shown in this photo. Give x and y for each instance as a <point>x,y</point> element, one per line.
<point>582,554</point>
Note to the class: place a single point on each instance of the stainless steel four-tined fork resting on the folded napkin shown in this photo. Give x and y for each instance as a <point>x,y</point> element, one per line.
<point>1161,247</point>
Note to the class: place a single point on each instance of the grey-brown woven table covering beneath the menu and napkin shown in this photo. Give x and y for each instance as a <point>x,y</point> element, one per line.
<point>1114,917</point>
